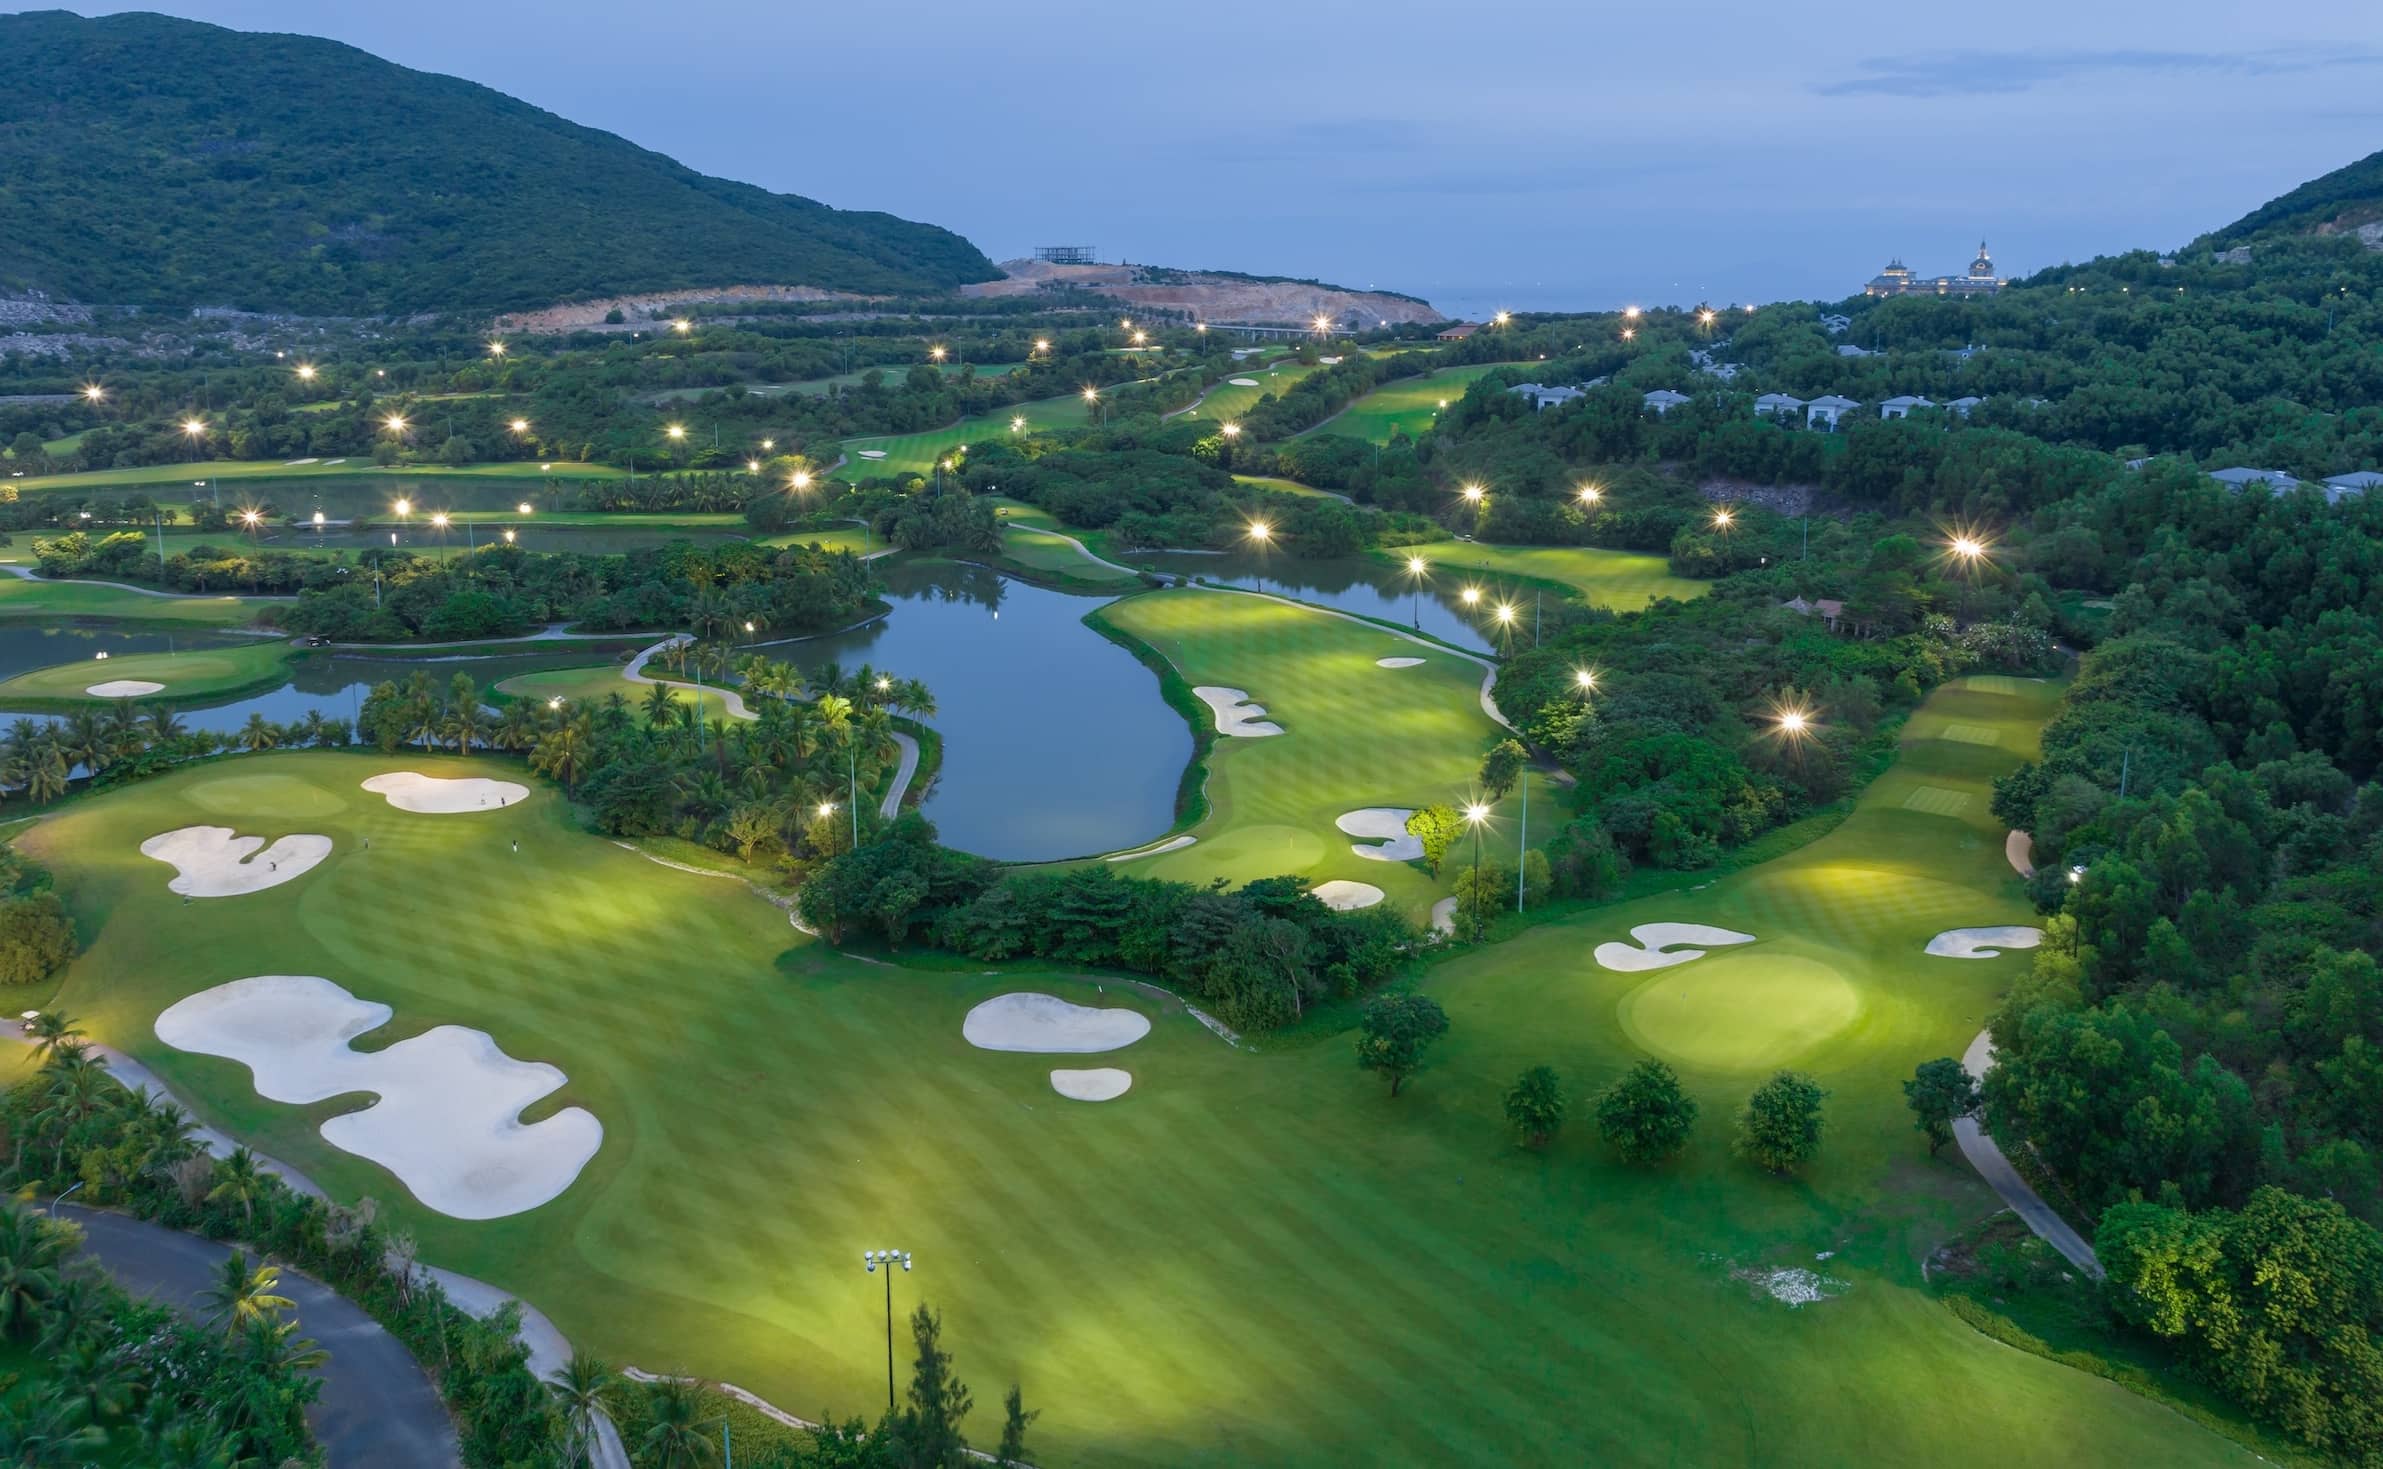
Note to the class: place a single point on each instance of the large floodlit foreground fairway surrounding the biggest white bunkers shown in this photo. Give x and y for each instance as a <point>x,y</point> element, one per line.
<point>1257,1256</point>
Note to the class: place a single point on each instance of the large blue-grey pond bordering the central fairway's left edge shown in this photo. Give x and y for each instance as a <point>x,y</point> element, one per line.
<point>1057,740</point>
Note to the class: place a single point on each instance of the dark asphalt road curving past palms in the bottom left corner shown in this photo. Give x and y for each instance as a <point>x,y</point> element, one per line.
<point>378,1406</point>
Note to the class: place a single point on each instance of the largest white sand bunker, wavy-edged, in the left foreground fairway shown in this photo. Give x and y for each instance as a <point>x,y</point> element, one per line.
<point>449,1101</point>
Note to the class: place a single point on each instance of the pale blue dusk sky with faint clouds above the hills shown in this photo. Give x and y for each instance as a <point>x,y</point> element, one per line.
<point>1524,154</point>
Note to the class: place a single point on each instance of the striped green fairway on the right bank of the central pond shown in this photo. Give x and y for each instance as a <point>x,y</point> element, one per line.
<point>1355,736</point>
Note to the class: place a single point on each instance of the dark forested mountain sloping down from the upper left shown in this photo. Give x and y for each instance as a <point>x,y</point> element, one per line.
<point>173,163</point>
